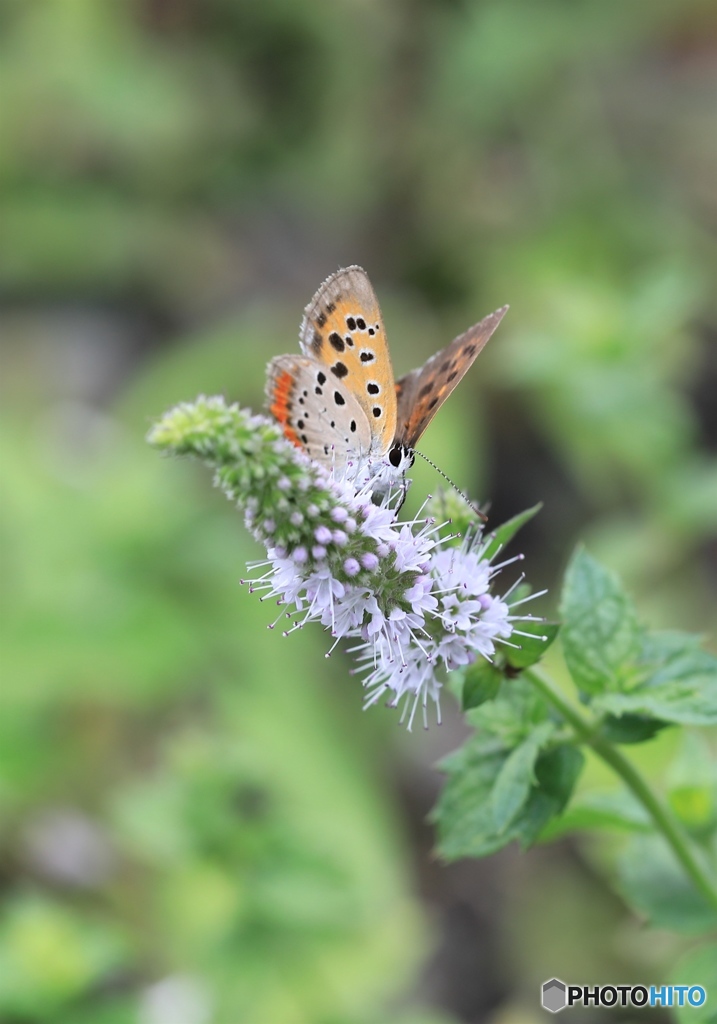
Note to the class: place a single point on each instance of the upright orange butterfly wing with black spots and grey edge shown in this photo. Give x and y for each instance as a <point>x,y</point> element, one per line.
<point>344,330</point>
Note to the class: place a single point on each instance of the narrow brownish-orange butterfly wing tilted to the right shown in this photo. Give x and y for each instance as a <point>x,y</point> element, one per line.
<point>421,394</point>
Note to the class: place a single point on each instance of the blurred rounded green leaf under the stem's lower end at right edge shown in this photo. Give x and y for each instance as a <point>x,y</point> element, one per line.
<point>653,882</point>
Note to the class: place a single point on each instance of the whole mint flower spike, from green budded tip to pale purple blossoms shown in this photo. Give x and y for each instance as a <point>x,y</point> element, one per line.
<point>415,603</point>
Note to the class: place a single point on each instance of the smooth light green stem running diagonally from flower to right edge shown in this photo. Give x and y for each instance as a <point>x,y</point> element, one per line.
<point>660,815</point>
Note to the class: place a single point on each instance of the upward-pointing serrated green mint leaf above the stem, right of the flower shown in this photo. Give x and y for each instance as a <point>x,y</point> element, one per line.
<point>601,634</point>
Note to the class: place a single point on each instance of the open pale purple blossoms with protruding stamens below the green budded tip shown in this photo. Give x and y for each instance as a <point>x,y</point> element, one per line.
<point>428,610</point>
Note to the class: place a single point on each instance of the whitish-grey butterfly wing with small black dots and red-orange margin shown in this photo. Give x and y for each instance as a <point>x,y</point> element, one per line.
<point>316,412</point>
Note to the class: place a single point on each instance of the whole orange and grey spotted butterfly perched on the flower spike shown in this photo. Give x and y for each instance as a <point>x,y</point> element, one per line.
<point>339,401</point>
